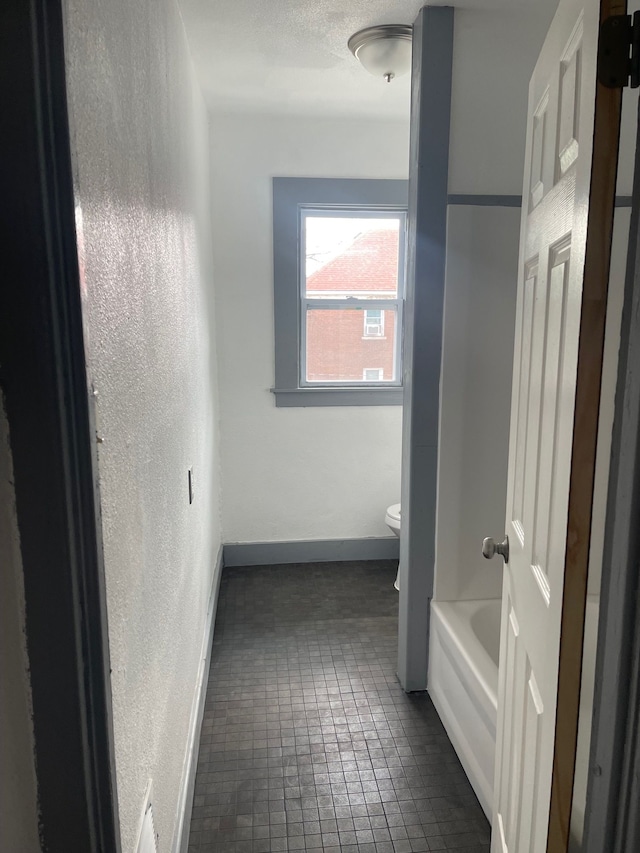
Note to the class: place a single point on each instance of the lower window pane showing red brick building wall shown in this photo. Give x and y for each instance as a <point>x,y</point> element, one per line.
<point>338,351</point>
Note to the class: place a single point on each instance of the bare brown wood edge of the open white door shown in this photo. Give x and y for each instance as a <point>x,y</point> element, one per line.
<point>608,104</point>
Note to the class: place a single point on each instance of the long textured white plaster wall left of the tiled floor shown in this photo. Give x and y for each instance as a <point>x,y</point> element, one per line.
<point>140,152</point>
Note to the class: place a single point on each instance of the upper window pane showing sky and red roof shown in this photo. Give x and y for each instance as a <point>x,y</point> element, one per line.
<point>346,256</point>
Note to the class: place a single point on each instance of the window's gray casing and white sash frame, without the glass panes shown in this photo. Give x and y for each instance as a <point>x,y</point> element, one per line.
<point>292,199</point>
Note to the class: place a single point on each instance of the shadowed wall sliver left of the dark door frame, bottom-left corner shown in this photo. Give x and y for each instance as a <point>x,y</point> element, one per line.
<point>18,794</point>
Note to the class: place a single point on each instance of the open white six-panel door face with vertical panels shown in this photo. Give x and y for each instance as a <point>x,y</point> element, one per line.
<point>553,240</point>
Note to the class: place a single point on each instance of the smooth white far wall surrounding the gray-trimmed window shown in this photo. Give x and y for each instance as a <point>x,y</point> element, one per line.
<point>304,473</point>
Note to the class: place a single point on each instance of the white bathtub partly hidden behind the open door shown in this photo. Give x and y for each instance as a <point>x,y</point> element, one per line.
<point>463,684</point>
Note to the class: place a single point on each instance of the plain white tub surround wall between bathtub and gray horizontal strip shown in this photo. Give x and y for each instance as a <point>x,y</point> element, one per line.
<point>475,395</point>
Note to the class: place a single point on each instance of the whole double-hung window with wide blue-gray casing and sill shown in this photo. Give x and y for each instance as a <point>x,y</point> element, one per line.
<point>339,263</point>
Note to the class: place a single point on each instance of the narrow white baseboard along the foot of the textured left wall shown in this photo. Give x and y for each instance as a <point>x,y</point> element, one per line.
<point>187,788</point>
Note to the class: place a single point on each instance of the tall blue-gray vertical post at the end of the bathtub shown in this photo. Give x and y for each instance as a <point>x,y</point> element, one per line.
<point>427,233</point>
